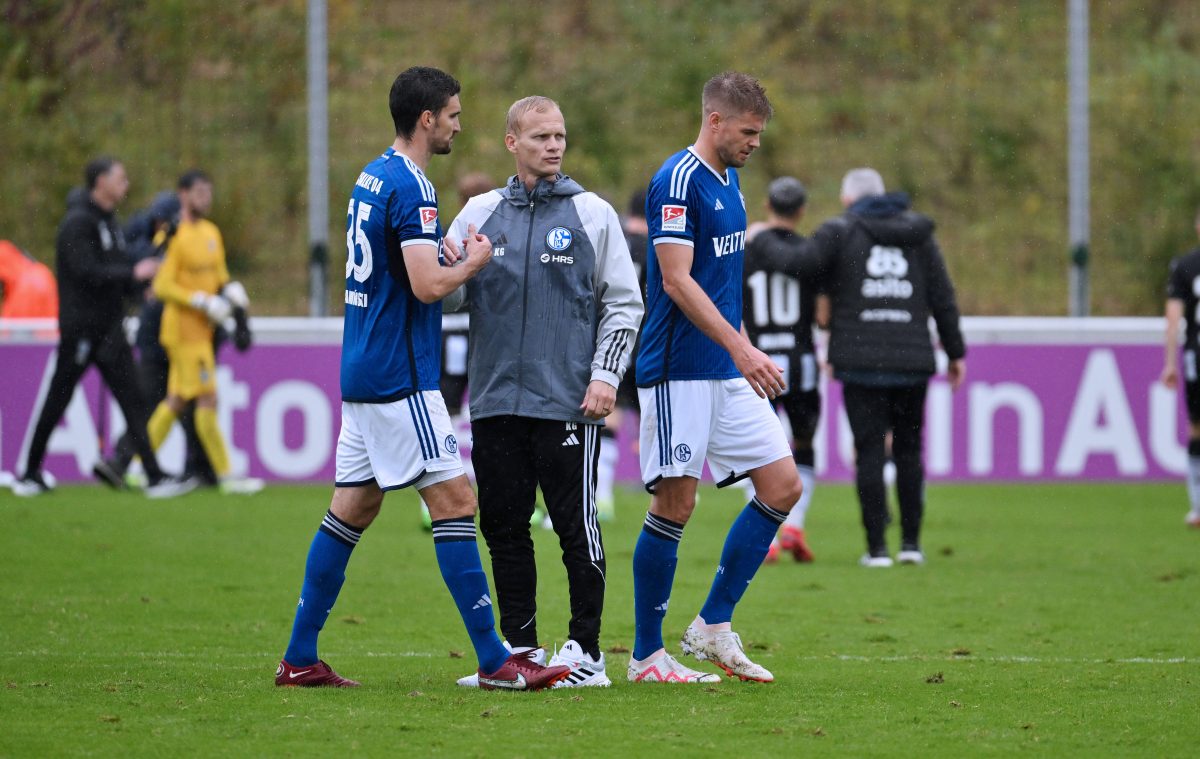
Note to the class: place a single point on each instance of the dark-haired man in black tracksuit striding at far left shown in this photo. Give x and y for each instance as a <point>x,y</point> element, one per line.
<point>95,278</point>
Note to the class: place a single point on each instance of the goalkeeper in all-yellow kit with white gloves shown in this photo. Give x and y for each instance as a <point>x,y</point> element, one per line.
<point>194,285</point>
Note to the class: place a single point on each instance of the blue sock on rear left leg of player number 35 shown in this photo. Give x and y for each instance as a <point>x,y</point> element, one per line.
<point>323,577</point>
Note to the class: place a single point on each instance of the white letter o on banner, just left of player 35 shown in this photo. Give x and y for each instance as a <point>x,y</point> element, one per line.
<point>315,449</point>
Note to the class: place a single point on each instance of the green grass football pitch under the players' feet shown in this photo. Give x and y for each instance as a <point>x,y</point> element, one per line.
<point>1061,620</point>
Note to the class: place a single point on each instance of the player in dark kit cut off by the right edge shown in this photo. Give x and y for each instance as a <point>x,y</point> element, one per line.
<point>1184,298</point>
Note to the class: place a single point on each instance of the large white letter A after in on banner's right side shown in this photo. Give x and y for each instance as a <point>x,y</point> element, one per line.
<point>1101,421</point>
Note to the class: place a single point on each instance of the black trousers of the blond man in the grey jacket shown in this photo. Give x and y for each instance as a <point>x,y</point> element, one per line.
<point>513,457</point>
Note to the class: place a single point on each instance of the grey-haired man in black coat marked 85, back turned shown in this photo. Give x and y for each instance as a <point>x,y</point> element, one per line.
<point>886,279</point>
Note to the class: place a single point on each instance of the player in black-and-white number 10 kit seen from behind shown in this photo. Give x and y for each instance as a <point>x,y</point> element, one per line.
<point>779,292</point>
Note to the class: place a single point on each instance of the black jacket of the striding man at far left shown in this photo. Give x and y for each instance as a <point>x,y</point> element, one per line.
<point>95,276</point>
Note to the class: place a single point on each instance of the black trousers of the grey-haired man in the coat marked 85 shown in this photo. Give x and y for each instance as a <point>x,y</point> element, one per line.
<point>873,413</point>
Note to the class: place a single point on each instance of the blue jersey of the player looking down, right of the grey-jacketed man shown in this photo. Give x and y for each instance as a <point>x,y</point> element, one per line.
<point>689,204</point>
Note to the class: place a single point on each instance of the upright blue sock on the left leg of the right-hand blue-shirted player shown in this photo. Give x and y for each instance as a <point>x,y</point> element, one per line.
<point>655,563</point>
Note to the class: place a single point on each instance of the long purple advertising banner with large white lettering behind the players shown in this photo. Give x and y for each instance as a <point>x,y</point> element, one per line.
<point>1046,409</point>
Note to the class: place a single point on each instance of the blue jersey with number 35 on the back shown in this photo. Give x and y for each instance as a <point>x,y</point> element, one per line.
<point>392,343</point>
